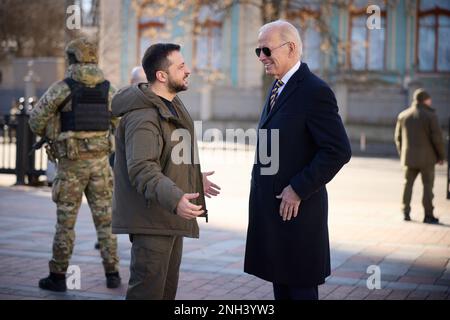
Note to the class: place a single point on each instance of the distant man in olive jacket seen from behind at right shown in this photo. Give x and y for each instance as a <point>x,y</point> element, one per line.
<point>420,145</point>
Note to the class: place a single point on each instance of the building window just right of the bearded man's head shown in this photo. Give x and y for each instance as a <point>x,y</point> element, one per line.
<point>207,35</point>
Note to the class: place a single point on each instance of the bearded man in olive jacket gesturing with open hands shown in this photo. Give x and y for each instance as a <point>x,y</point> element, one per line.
<point>159,189</point>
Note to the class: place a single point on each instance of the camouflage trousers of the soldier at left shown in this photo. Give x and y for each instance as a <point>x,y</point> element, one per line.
<point>93,178</point>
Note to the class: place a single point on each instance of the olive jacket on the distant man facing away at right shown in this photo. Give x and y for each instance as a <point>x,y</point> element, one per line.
<point>418,137</point>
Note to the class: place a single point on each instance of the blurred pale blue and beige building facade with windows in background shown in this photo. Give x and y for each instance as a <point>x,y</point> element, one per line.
<point>373,53</point>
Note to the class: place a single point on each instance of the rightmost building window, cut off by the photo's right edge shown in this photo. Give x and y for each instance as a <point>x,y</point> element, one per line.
<point>432,45</point>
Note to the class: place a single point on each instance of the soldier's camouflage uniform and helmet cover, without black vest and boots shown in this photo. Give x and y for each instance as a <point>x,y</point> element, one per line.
<point>83,165</point>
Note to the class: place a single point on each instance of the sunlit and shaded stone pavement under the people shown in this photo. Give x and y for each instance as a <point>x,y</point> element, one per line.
<point>365,223</point>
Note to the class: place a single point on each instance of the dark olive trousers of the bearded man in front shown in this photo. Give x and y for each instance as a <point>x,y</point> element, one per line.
<point>154,267</point>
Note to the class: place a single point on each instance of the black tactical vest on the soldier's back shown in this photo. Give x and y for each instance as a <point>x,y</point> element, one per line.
<point>89,108</point>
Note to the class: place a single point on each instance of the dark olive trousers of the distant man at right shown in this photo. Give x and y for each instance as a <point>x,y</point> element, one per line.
<point>427,175</point>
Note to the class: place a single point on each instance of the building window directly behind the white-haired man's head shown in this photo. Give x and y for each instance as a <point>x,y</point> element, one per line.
<point>306,18</point>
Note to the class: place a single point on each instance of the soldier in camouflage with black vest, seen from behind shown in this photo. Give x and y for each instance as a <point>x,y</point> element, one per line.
<point>75,117</point>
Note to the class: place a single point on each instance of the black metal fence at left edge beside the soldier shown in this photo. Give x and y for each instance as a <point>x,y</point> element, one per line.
<point>16,141</point>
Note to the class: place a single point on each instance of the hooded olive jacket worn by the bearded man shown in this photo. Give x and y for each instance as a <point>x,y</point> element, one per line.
<point>151,171</point>
